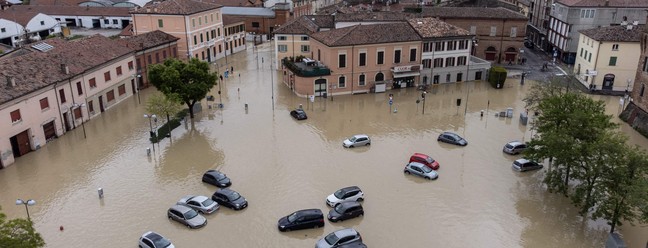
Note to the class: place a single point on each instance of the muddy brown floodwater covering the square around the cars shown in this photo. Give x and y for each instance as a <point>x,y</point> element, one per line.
<point>281,165</point>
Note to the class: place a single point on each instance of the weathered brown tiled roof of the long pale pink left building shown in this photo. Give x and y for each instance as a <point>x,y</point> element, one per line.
<point>36,70</point>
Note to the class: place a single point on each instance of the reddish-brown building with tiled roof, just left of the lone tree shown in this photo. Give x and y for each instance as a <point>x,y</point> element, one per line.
<point>150,48</point>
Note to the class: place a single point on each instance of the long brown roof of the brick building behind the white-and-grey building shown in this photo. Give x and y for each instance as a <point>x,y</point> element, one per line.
<point>471,13</point>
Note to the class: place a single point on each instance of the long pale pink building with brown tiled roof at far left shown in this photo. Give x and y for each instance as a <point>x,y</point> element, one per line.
<point>72,82</point>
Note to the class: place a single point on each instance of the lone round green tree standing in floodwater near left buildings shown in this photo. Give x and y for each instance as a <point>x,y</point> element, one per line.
<point>190,82</point>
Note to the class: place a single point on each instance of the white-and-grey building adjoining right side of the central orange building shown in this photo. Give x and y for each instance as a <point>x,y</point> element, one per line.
<point>446,53</point>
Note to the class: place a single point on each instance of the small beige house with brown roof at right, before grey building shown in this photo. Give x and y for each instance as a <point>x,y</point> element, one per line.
<point>607,57</point>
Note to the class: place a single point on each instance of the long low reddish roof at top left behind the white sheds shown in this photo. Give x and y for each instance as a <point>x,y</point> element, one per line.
<point>71,10</point>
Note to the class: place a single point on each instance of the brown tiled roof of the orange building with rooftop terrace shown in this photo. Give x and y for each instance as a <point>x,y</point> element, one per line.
<point>367,34</point>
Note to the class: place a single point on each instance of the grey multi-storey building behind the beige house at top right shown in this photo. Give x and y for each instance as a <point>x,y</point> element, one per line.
<point>569,17</point>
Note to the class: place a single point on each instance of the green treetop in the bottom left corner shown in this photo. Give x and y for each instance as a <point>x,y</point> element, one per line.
<point>18,233</point>
